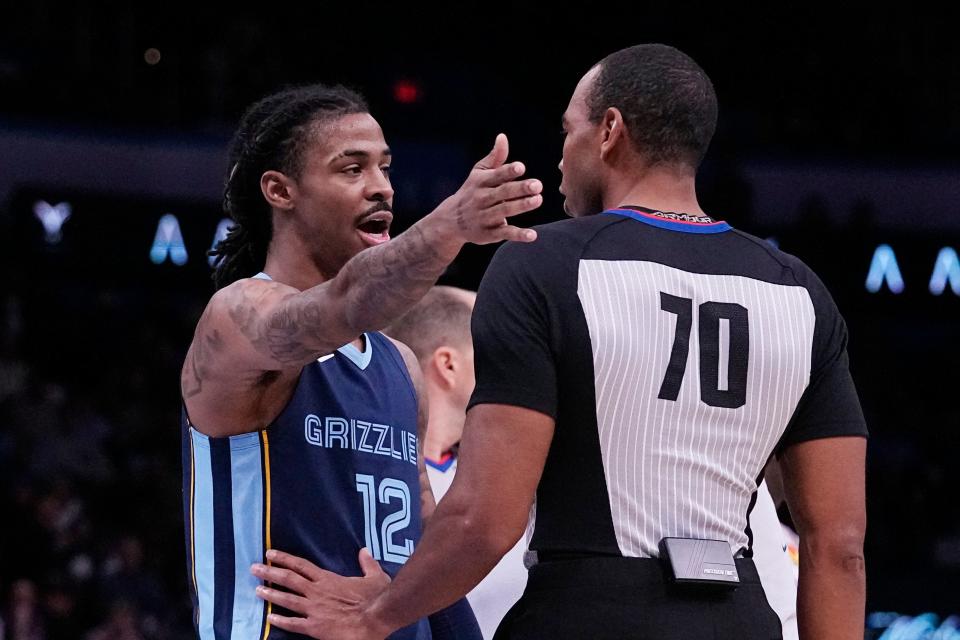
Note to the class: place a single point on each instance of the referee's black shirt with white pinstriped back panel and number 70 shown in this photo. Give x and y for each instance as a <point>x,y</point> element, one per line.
<point>675,356</point>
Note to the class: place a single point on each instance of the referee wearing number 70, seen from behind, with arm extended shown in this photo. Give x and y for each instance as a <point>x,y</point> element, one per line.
<point>636,368</point>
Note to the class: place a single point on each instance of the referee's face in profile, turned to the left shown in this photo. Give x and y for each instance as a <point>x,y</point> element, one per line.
<point>580,166</point>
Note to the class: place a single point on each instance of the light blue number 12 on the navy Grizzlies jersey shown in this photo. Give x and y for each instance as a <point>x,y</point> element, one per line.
<point>381,541</point>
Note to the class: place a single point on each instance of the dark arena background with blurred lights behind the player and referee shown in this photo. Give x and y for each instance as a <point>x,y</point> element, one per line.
<point>839,140</point>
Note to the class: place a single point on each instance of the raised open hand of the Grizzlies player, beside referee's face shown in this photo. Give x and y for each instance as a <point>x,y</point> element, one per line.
<point>490,195</point>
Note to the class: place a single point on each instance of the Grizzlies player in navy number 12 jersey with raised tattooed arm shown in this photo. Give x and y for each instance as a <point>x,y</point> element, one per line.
<point>301,423</point>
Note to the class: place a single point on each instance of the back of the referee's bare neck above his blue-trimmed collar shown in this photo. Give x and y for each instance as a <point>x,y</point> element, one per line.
<point>660,188</point>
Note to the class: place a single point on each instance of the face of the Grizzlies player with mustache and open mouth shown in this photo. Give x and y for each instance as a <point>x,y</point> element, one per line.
<point>344,200</point>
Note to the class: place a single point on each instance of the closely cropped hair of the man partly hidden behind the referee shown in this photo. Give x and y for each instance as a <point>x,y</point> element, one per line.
<point>441,318</point>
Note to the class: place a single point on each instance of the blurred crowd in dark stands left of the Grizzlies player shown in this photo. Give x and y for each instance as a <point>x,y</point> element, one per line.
<point>91,545</point>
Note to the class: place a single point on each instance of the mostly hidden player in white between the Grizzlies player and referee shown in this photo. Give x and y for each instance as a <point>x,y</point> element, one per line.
<point>437,329</point>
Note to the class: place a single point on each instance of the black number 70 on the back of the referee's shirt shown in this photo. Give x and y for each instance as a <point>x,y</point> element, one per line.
<point>724,340</point>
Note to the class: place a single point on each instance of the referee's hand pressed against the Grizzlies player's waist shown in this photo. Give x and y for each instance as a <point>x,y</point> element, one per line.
<point>330,605</point>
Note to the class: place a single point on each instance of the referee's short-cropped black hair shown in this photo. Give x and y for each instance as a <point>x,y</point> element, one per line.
<point>667,101</point>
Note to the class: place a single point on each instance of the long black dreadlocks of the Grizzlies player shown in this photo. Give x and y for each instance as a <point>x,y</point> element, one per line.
<point>272,135</point>
